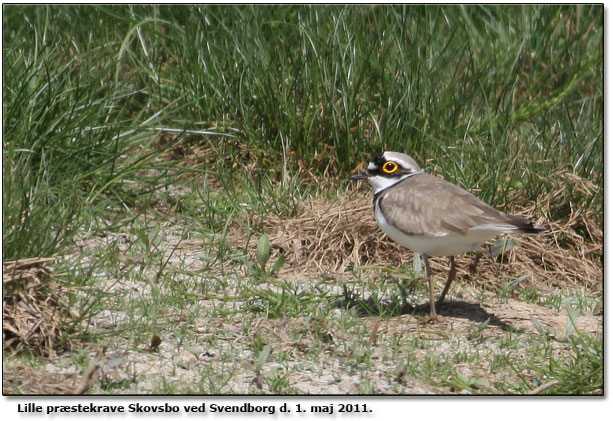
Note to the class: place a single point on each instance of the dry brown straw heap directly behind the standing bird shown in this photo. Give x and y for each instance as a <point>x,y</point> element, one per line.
<point>328,238</point>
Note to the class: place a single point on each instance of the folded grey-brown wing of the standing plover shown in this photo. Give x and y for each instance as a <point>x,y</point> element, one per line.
<point>428,205</point>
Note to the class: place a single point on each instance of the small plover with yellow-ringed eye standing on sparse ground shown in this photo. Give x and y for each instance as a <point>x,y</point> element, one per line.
<point>432,216</point>
